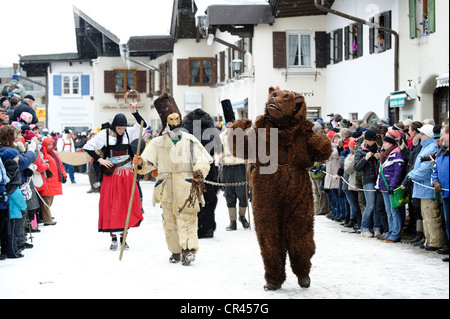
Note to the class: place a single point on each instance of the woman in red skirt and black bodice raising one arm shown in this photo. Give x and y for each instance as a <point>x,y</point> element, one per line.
<point>117,181</point>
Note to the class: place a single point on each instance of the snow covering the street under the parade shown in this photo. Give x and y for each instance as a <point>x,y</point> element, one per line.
<point>73,260</point>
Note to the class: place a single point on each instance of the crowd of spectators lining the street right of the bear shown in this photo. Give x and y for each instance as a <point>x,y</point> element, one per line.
<point>355,185</point>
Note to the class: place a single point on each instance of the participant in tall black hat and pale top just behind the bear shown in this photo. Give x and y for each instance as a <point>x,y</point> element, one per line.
<point>233,171</point>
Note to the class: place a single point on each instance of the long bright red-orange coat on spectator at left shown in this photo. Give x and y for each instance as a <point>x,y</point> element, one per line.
<point>56,167</point>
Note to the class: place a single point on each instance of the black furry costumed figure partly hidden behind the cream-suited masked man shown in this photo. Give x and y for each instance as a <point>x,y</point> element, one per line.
<point>206,216</point>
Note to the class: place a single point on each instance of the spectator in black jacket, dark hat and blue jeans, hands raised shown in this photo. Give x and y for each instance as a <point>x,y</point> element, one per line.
<point>366,161</point>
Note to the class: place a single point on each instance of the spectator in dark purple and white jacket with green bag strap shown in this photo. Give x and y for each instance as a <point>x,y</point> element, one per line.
<point>391,174</point>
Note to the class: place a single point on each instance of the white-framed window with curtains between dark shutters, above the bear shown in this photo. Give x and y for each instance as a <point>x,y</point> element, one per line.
<point>299,50</point>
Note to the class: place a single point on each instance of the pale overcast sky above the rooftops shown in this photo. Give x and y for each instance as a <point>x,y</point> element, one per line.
<point>32,27</point>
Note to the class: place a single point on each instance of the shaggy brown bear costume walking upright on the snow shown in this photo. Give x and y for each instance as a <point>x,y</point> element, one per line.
<point>283,201</point>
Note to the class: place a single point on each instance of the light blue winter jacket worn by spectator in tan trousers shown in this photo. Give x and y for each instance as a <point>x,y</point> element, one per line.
<point>421,172</point>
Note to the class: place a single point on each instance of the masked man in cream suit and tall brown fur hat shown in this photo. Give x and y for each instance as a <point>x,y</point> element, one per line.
<point>182,164</point>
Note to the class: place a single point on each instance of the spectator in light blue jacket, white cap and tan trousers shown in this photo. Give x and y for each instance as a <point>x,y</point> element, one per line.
<point>421,176</point>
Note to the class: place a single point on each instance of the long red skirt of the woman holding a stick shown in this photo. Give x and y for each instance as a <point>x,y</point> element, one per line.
<point>115,194</point>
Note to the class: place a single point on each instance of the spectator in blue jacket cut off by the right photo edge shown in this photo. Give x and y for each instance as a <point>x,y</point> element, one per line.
<point>440,177</point>
